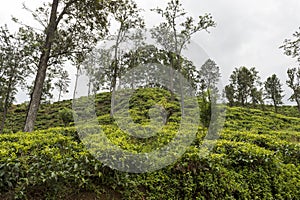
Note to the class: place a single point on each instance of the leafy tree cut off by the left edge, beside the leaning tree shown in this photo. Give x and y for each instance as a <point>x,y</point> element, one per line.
<point>14,68</point>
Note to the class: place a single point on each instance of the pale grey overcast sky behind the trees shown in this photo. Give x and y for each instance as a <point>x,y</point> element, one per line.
<point>248,33</point>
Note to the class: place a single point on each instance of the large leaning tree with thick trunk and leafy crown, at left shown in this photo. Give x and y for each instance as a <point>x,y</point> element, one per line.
<point>69,27</point>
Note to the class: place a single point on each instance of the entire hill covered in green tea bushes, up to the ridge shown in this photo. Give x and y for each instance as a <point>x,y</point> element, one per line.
<point>256,157</point>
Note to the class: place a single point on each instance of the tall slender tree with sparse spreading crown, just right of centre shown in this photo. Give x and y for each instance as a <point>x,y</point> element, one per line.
<point>176,31</point>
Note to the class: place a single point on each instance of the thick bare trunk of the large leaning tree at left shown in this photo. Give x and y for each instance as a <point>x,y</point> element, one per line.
<point>42,69</point>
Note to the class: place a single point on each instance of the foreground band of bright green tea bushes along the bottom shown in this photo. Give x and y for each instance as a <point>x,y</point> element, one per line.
<point>53,164</point>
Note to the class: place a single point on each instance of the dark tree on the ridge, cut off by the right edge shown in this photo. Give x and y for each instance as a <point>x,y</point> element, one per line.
<point>294,83</point>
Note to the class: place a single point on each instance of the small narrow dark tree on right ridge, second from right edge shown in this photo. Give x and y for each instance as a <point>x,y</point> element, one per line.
<point>273,89</point>
